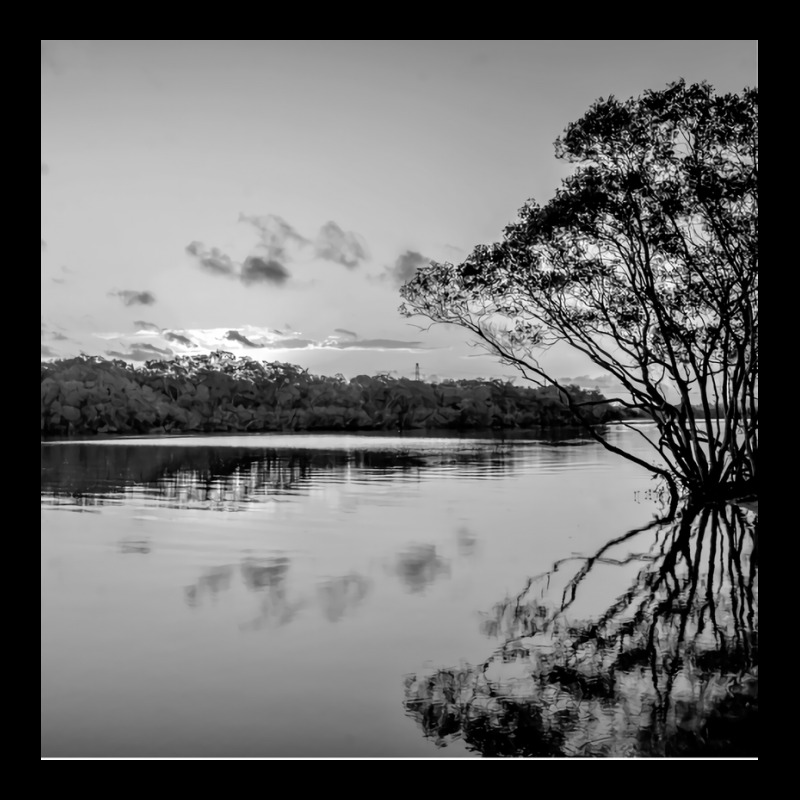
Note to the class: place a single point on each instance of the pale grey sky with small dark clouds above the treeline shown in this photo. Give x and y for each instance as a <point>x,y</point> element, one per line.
<point>268,198</point>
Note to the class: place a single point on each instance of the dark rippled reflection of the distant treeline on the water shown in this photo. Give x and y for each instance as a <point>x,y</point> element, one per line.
<point>80,476</point>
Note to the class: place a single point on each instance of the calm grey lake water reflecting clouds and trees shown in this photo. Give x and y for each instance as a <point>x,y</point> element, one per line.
<point>343,596</point>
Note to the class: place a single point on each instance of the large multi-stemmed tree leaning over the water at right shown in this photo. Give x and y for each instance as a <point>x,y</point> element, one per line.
<point>646,261</point>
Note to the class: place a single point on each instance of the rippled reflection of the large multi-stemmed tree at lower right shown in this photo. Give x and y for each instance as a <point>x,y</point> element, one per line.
<point>668,670</point>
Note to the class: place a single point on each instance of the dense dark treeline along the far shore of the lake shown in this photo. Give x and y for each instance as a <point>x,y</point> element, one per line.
<point>219,392</point>
